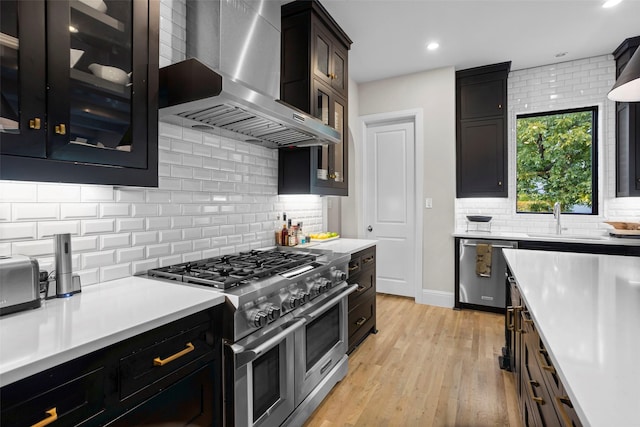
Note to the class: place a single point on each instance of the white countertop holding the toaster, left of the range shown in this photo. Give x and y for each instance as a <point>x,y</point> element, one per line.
<point>103,314</point>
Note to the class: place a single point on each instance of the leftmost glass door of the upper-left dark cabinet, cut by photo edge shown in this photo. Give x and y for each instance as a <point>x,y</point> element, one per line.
<point>22,74</point>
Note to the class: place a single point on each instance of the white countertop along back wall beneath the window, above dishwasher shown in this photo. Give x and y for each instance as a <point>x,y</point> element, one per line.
<point>543,237</point>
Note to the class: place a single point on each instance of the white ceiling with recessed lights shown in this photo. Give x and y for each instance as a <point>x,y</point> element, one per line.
<point>390,36</point>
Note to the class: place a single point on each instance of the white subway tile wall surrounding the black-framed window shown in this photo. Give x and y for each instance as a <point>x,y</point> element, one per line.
<point>571,84</point>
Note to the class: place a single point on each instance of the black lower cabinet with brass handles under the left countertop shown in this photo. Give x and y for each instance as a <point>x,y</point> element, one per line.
<point>170,375</point>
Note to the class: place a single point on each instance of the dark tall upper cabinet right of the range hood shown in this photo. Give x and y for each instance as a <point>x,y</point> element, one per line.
<point>314,78</point>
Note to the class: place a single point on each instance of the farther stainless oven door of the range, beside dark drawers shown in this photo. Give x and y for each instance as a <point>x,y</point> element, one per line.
<point>322,342</point>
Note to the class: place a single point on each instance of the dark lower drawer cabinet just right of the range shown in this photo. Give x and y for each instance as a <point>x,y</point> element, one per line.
<point>362,302</point>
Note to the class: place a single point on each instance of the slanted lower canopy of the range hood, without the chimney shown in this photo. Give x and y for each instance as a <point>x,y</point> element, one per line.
<point>192,94</point>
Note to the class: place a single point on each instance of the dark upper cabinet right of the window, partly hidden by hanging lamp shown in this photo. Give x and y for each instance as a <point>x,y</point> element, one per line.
<point>627,130</point>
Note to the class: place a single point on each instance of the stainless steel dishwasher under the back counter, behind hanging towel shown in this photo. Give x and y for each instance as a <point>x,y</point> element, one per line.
<point>478,289</point>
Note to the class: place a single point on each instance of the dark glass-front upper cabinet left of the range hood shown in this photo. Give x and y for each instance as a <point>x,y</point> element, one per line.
<point>79,91</point>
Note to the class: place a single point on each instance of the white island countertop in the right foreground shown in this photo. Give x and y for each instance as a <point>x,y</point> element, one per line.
<point>587,310</point>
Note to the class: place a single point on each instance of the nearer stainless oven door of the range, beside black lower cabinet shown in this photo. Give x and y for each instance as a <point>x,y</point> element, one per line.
<point>259,378</point>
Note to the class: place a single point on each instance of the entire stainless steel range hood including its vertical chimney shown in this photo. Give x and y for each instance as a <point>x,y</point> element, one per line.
<point>228,86</point>
